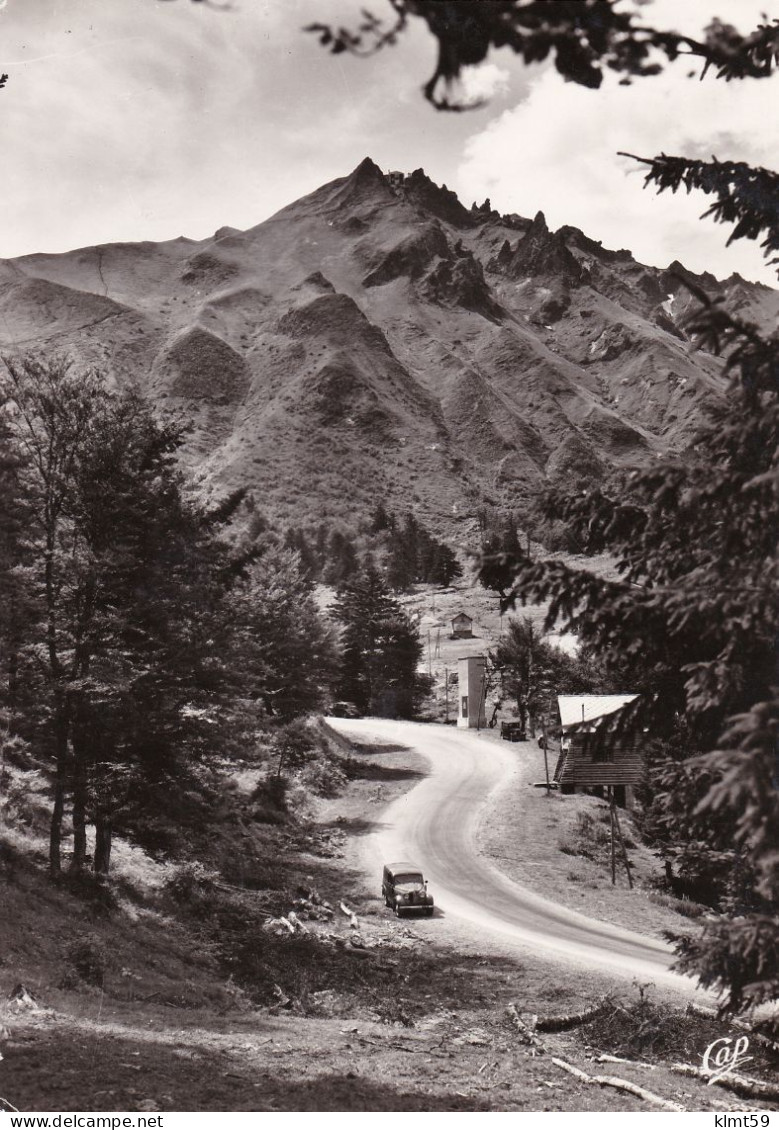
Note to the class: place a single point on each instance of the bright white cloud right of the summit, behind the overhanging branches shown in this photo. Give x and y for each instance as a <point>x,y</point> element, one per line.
<point>558,152</point>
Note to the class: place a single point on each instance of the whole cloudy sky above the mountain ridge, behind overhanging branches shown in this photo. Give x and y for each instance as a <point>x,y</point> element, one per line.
<point>128,120</point>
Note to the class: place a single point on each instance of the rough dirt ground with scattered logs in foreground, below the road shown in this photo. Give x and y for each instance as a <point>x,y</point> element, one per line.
<point>366,1014</point>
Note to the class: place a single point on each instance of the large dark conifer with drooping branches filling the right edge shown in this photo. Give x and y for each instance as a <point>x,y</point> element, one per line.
<point>693,621</point>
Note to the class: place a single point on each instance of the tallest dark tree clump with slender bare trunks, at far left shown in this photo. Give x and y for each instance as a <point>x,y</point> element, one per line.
<point>119,666</point>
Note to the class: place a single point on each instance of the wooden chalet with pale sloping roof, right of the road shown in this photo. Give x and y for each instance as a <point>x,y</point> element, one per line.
<point>592,759</point>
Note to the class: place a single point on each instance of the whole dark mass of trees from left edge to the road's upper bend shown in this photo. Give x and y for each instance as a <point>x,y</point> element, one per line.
<point>148,639</point>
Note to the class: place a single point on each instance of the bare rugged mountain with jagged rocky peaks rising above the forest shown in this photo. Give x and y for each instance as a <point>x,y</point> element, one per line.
<point>378,341</point>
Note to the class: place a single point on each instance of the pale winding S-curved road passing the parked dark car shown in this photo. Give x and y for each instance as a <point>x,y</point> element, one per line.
<point>435,825</point>
